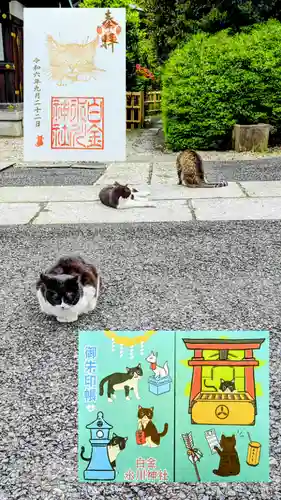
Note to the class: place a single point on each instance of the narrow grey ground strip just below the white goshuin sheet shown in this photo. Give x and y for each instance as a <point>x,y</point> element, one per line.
<point>49,177</point>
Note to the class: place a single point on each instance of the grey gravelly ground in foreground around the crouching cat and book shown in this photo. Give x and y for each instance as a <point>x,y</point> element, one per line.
<point>165,276</point>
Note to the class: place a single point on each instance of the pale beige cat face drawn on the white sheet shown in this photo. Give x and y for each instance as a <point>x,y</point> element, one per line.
<point>72,62</point>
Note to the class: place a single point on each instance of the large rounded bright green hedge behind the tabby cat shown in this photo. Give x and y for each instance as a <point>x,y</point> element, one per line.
<point>213,82</point>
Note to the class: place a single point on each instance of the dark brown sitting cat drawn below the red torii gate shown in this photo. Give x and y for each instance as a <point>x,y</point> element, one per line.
<point>229,461</point>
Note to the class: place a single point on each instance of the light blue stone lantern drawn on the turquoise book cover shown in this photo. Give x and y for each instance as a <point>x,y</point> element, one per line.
<point>99,467</point>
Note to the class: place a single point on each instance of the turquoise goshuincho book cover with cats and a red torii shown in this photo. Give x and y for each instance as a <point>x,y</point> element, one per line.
<point>177,406</point>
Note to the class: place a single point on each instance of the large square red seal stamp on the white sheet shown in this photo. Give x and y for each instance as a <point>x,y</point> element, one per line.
<point>77,123</point>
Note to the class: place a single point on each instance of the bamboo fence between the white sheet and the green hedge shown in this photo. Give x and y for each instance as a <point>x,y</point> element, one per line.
<point>139,105</point>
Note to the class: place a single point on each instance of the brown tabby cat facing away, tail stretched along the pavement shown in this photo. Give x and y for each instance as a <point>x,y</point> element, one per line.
<point>190,170</point>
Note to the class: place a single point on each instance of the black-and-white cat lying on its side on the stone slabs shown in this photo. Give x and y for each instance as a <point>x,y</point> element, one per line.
<point>122,196</point>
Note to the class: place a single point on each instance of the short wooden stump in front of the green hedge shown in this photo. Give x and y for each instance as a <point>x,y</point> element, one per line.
<point>251,137</point>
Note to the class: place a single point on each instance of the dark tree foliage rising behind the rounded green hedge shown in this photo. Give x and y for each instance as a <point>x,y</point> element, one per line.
<point>172,21</point>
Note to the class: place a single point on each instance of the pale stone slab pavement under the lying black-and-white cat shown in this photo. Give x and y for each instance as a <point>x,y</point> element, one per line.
<point>80,204</point>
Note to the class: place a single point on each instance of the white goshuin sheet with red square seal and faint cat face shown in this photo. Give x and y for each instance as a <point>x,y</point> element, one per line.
<point>74,84</point>
